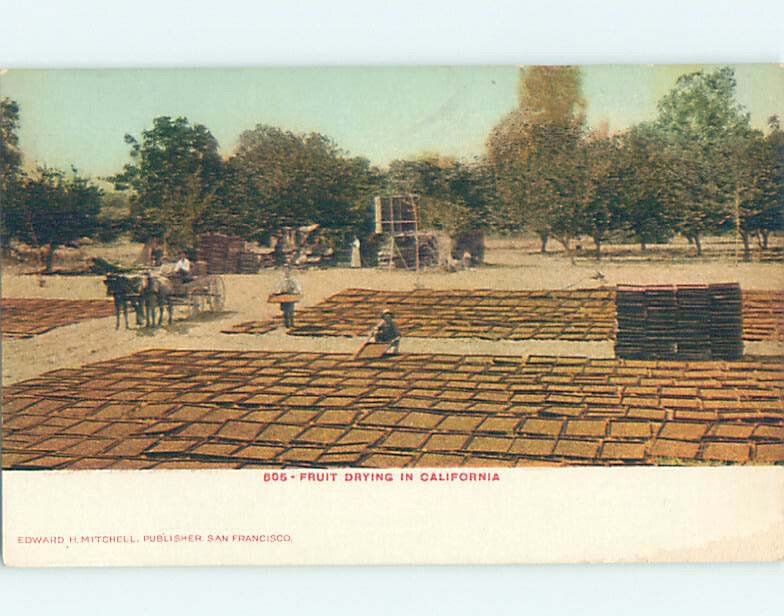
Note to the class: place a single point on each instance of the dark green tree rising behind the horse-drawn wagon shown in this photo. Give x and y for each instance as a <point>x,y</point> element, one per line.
<point>174,174</point>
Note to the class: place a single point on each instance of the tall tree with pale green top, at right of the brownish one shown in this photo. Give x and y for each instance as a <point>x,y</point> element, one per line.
<point>704,130</point>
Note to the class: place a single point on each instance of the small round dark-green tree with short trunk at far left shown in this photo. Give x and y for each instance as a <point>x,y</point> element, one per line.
<point>55,208</point>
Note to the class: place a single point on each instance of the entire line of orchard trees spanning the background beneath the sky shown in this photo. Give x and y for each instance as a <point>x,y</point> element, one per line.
<point>697,168</point>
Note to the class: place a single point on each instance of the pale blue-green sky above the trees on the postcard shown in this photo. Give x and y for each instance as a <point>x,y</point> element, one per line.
<point>79,117</point>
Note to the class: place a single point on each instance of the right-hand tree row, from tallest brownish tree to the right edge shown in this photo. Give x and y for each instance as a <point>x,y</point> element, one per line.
<point>698,168</point>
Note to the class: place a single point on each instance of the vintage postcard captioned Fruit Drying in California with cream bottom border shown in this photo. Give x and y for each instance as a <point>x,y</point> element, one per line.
<point>392,315</point>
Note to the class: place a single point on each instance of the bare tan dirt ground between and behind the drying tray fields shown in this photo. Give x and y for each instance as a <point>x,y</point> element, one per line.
<point>510,265</point>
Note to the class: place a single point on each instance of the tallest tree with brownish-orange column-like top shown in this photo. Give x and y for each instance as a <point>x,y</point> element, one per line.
<point>535,155</point>
